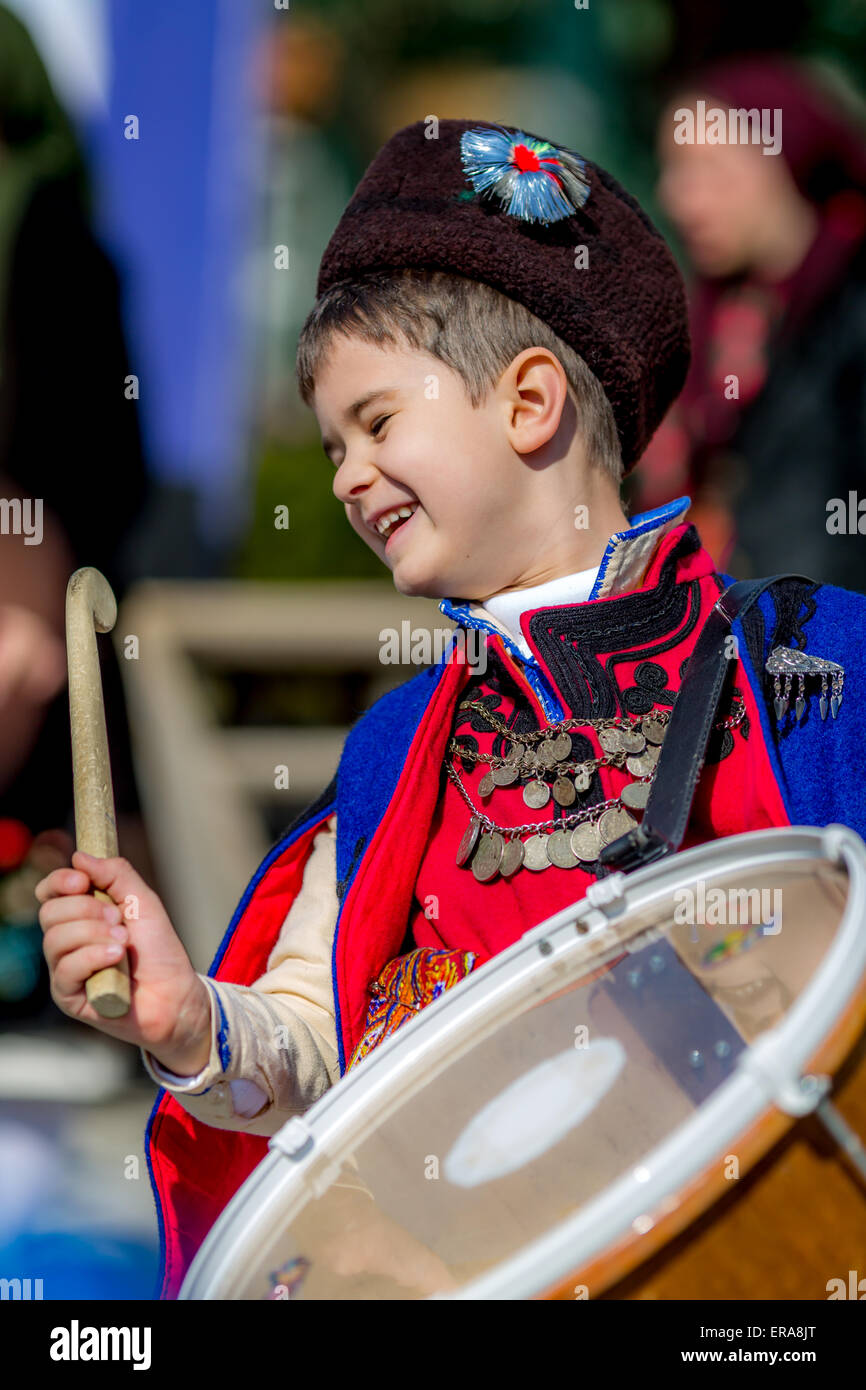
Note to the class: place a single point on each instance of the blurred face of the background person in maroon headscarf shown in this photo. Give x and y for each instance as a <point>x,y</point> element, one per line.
<point>735,208</point>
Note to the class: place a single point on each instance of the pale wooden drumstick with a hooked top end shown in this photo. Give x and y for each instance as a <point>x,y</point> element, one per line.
<point>91,610</point>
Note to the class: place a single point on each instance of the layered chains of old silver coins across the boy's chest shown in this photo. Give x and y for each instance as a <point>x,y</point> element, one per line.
<point>491,850</point>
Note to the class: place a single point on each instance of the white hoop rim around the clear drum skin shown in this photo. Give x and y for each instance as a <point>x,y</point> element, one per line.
<point>336,1124</point>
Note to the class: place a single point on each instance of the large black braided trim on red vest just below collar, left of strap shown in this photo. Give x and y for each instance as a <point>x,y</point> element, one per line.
<point>568,640</point>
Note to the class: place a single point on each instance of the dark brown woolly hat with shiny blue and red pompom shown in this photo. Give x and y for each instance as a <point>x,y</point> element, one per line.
<point>512,209</point>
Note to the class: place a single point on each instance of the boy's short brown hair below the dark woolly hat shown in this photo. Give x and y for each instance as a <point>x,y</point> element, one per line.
<point>465,323</point>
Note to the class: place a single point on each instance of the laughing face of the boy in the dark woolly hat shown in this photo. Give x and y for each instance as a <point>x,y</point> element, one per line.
<point>419,443</point>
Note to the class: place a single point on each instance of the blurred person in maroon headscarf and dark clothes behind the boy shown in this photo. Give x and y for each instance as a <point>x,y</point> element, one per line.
<point>778,248</point>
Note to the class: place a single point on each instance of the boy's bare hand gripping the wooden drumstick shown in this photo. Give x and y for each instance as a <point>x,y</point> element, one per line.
<point>170,1006</point>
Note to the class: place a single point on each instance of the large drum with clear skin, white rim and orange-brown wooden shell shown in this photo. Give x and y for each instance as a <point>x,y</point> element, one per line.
<point>582,1103</point>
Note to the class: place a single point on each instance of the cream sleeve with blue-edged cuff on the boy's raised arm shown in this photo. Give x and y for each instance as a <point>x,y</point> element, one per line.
<point>273,1043</point>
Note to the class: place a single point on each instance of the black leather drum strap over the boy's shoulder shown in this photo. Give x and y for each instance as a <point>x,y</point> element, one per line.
<point>673,787</point>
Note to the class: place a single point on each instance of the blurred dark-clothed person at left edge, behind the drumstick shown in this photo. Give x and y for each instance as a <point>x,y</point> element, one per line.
<point>72,466</point>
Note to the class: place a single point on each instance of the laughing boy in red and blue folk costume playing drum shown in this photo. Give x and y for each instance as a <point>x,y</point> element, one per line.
<point>498,333</point>
